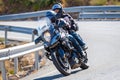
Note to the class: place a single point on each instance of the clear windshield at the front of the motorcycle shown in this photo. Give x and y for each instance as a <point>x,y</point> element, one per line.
<point>44,25</point>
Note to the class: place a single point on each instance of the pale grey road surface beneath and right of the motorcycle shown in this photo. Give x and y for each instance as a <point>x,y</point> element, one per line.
<point>102,39</point>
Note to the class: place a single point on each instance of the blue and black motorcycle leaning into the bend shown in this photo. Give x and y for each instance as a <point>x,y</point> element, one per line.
<point>59,48</point>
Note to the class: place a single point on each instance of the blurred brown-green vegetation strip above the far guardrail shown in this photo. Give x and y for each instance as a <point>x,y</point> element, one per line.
<point>20,6</point>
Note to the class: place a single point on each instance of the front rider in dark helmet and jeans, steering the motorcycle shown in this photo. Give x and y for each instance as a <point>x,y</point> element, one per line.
<point>52,16</point>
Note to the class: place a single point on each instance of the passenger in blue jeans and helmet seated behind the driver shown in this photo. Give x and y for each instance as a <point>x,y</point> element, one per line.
<point>60,14</point>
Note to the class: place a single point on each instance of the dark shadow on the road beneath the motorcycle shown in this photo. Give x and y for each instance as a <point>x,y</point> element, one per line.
<point>55,76</point>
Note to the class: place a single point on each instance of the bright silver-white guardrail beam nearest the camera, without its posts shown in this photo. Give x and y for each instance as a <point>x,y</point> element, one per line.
<point>17,51</point>
